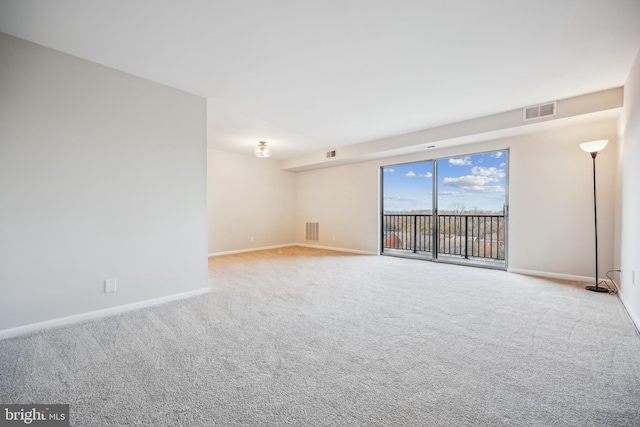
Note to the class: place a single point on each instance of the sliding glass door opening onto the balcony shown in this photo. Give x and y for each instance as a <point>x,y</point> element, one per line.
<point>450,209</point>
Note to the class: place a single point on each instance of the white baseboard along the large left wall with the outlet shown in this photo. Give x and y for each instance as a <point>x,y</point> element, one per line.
<point>76,318</point>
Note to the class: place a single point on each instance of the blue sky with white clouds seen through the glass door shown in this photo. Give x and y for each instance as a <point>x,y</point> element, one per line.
<point>474,181</point>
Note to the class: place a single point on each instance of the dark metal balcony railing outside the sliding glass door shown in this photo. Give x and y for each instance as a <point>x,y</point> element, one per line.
<point>461,235</point>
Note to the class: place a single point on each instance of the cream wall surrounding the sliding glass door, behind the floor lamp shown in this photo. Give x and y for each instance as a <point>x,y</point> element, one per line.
<point>550,191</point>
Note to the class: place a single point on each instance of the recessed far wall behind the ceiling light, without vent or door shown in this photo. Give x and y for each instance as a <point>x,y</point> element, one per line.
<point>248,197</point>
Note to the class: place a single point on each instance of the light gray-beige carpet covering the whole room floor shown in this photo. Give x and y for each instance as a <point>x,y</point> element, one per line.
<point>308,337</point>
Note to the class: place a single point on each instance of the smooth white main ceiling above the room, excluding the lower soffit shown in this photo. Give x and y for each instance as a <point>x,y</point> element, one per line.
<point>312,75</point>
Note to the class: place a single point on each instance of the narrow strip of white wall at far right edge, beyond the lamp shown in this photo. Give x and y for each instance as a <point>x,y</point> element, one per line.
<point>630,206</point>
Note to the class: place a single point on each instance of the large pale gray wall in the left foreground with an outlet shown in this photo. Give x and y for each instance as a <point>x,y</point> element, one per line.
<point>102,175</point>
